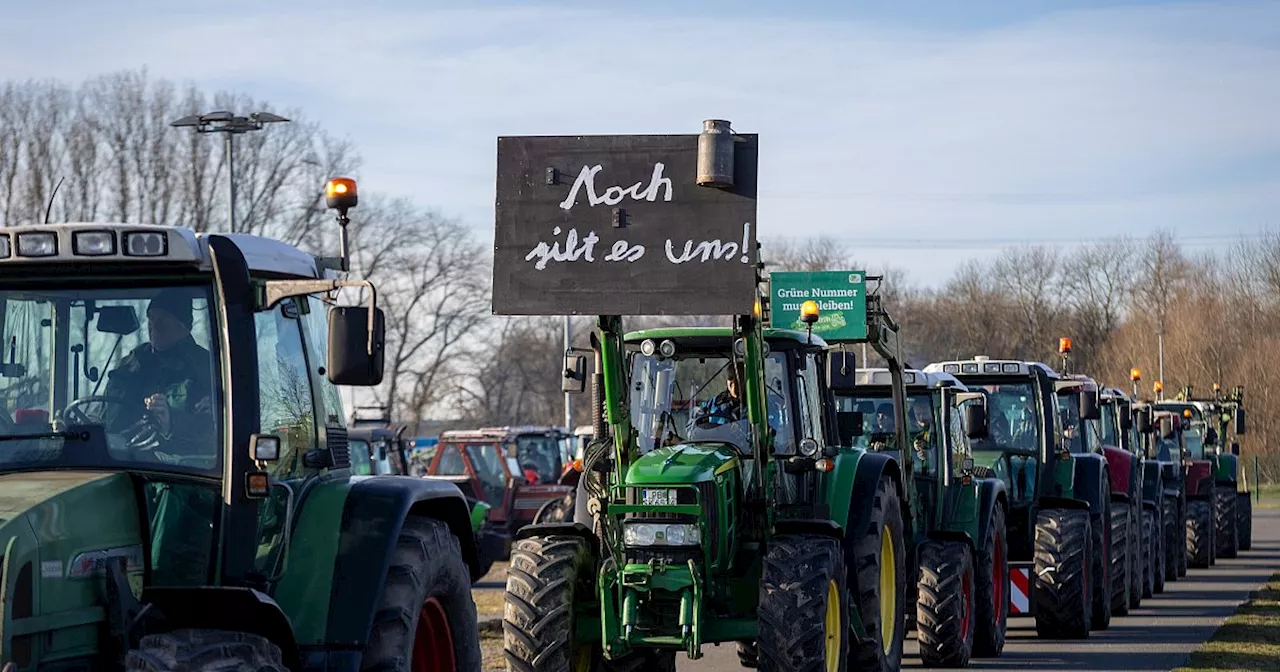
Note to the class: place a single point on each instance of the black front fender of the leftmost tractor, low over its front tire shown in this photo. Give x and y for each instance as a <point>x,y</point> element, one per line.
<point>225,609</point>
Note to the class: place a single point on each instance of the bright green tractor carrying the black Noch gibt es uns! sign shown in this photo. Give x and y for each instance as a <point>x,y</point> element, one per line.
<point>721,501</point>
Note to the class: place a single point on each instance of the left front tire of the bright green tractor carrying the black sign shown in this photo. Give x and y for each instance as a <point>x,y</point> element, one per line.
<point>548,575</point>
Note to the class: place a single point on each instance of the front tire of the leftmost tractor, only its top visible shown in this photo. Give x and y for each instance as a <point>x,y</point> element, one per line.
<point>204,651</point>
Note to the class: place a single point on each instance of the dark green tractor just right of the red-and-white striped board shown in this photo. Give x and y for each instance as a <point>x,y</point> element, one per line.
<point>1059,492</point>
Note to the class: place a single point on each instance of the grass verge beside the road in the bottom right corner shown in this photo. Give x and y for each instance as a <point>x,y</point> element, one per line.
<point>1247,641</point>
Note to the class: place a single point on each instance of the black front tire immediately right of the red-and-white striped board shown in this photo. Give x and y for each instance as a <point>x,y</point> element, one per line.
<point>1062,591</point>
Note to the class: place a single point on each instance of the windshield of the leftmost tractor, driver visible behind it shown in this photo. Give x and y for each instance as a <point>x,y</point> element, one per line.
<point>129,369</point>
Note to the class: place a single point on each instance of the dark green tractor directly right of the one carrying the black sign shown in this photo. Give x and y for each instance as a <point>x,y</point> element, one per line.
<point>959,545</point>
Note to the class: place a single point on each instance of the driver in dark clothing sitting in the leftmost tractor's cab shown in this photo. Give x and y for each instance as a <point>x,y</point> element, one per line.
<point>167,382</point>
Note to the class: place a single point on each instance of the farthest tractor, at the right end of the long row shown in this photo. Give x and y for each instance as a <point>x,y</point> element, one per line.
<point>1212,422</point>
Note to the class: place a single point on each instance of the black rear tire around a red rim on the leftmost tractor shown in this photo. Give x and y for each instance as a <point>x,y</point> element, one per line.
<point>427,569</point>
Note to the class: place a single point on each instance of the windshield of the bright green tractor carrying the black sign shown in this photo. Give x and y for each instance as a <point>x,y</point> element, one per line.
<point>696,397</point>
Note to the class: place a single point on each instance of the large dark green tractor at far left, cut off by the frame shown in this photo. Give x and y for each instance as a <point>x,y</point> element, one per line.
<point>180,496</point>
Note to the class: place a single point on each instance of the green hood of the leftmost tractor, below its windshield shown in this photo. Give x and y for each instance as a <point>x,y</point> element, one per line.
<point>56,528</point>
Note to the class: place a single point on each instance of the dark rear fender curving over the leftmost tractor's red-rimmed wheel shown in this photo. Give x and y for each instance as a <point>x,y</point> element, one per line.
<point>373,516</point>
